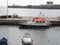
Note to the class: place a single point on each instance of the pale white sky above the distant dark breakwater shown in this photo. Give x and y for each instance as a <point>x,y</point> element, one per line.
<point>26,2</point>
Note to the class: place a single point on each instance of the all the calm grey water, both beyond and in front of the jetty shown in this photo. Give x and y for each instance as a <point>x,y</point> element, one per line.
<point>40,36</point>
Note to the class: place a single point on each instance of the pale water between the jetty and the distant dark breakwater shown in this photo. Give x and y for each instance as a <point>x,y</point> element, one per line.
<point>30,12</point>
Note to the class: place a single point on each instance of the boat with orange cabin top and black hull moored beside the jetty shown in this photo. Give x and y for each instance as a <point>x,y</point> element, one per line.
<point>38,22</point>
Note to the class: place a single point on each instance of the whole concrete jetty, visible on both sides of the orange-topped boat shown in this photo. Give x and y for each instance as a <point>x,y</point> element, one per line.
<point>54,20</point>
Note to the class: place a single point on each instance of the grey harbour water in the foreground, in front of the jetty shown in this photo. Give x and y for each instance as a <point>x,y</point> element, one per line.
<point>40,36</point>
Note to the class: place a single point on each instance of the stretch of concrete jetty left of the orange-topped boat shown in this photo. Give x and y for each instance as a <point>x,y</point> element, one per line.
<point>13,20</point>
